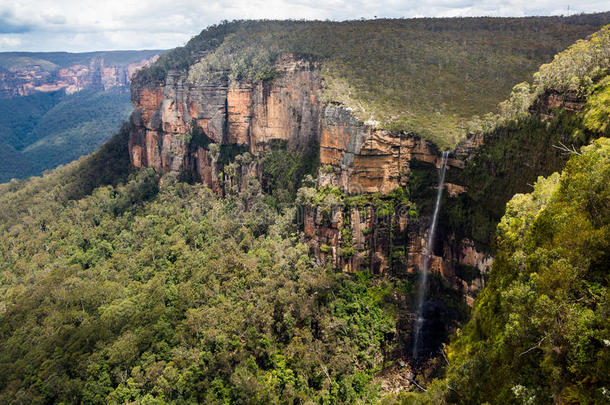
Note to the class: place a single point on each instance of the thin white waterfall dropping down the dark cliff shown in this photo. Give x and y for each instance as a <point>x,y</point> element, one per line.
<point>423,276</point>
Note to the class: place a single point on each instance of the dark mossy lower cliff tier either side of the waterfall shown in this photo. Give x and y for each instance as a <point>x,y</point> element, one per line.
<point>372,238</point>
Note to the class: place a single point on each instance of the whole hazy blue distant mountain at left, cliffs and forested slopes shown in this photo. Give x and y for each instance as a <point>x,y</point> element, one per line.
<point>57,106</point>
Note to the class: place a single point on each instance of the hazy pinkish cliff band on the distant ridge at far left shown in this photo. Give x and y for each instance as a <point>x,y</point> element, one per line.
<point>96,74</point>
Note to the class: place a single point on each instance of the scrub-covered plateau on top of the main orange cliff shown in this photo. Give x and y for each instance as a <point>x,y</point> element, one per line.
<point>420,75</point>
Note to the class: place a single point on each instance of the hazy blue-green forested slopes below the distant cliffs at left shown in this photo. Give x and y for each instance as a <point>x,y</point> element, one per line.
<point>42,131</point>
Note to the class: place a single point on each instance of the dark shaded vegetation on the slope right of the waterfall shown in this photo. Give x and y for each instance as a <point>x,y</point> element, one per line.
<point>511,158</point>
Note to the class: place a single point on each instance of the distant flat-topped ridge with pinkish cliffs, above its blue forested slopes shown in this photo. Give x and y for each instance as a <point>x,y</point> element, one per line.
<point>25,73</point>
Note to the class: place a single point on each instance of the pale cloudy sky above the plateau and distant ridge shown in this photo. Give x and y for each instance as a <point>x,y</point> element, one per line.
<point>84,25</point>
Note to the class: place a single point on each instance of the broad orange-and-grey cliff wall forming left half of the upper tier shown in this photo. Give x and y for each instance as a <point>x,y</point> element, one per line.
<point>168,119</point>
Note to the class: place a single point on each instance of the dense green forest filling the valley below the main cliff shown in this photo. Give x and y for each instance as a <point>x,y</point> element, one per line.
<point>163,292</point>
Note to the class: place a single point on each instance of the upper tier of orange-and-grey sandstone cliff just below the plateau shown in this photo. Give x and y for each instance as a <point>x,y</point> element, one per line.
<point>361,159</point>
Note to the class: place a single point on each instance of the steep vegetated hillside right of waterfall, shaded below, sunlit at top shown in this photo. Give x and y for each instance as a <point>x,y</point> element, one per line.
<point>564,108</point>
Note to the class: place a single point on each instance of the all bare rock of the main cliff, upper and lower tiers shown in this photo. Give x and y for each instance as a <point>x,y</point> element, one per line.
<point>174,124</point>
